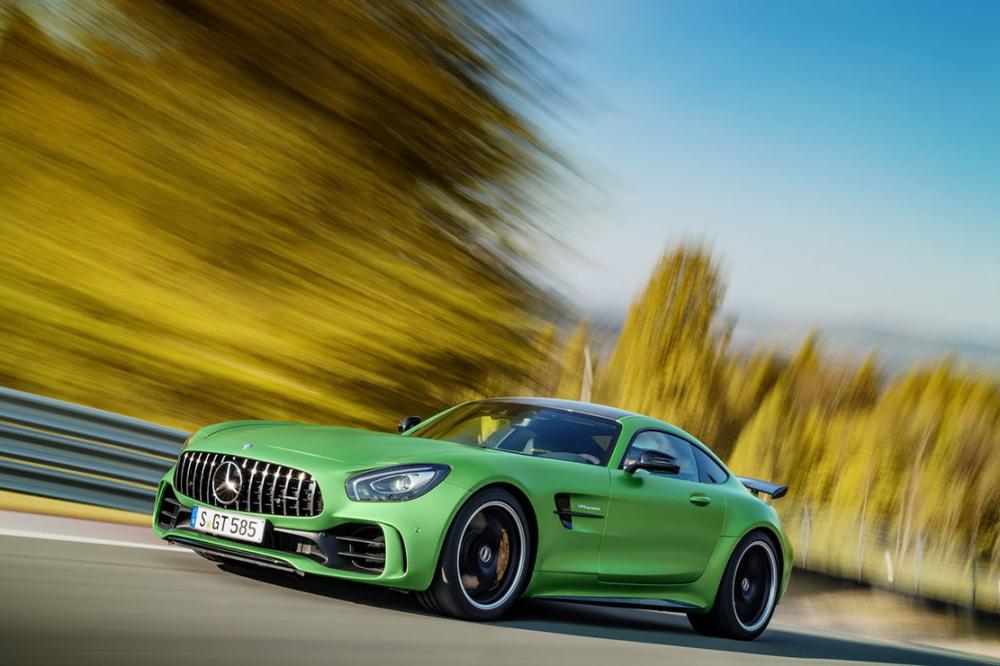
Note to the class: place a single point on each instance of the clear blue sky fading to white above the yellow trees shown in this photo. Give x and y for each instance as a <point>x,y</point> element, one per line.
<point>843,159</point>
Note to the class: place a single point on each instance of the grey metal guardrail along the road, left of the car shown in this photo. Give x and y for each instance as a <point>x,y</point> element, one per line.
<point>65,451</point>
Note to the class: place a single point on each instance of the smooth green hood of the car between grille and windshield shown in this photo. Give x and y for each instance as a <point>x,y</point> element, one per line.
<point>304,446</point>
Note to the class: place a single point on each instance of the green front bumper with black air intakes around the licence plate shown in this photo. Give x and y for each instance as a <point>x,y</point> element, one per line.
<point>336,542</point>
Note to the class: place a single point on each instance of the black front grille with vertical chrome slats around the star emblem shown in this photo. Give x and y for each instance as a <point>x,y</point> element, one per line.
<point>266,487</point>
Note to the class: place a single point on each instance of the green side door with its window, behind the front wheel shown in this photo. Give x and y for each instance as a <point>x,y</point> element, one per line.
<point>660,529</point>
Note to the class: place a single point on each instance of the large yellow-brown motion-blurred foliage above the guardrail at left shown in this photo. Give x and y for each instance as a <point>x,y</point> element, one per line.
<point>308,209</point>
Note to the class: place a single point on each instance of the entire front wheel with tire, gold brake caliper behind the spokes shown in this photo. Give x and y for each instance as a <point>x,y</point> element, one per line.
<point>483,567</point>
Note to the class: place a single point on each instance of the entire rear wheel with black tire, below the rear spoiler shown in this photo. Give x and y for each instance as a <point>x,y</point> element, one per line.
<point>747,594</point>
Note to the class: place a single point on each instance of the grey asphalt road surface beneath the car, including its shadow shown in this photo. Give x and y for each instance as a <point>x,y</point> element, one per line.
<point>78,603</point>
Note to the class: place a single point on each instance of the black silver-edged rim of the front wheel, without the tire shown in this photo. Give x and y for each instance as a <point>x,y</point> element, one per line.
<point>490,555</point>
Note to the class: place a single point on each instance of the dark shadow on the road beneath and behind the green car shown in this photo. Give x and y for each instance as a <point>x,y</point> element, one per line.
<point>639,626</point>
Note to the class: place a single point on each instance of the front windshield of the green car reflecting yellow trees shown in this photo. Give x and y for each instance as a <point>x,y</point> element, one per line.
<point>527,429</point>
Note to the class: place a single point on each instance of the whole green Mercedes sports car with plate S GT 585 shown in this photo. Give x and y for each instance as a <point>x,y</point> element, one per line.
<point>487,502</point>
